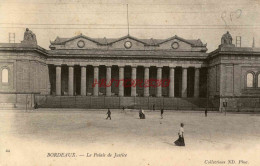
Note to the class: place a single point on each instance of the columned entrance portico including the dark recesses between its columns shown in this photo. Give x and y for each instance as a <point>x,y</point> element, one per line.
<point>142,83</point>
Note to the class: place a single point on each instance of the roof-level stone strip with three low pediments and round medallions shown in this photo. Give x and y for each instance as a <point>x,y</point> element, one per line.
<point>128,43</point>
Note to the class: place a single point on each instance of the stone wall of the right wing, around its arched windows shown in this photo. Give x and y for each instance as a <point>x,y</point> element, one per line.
<point>227,79</point>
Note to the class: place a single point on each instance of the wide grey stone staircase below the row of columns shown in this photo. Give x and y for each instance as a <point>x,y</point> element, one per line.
<point>103,102</point>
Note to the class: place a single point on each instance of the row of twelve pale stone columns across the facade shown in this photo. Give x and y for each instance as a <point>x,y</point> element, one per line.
<point>121,83</point>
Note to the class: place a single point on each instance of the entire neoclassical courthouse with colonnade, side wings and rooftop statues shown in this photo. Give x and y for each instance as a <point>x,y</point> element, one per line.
<point>172,73</point>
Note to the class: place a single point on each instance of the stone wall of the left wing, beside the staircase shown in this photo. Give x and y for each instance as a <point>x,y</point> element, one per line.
<point>27,75</point>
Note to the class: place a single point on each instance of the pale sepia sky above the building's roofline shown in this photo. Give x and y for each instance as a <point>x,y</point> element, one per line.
<point>206,20</point>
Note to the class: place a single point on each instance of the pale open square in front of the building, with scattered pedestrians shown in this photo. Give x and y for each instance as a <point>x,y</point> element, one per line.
<point>29,136</point>
